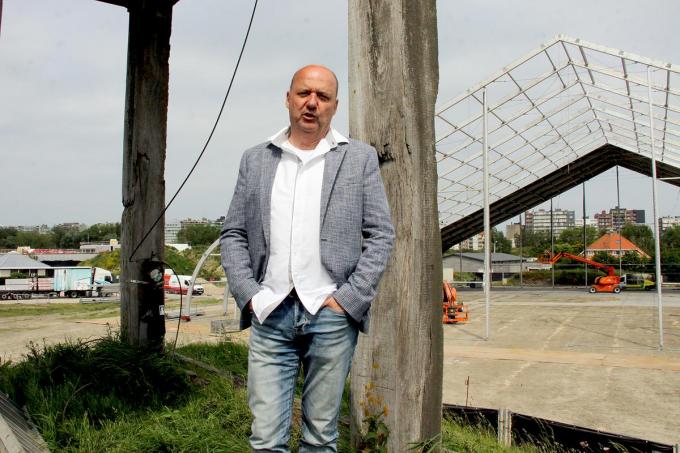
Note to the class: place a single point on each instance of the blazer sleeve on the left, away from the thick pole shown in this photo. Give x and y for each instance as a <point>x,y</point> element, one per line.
<point>234,250</point>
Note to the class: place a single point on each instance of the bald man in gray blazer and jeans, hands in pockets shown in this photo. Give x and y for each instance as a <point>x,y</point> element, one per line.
<point>304,244</point>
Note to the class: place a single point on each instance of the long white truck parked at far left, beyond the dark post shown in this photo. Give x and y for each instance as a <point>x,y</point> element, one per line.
<point>67,282</point>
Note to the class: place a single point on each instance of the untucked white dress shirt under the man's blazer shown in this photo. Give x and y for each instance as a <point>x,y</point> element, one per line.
<point>294,254</point>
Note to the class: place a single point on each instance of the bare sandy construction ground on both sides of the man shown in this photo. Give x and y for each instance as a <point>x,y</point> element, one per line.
<point>591,360</point>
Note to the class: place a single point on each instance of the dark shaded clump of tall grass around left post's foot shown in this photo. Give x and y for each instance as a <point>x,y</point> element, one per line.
<point>73,388</point>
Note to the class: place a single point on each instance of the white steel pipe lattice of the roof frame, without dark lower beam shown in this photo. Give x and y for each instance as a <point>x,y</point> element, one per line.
<point>609,122</point>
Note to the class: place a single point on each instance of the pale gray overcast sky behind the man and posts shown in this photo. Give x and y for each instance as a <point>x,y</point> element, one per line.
<point>62,90</point>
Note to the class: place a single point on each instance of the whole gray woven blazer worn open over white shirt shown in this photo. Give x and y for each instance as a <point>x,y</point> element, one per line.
<point>356,233</point>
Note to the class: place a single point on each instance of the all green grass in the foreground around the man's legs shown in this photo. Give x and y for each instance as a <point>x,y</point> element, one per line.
<point>106,396</point>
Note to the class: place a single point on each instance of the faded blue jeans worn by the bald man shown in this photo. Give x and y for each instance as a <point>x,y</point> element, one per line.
<point>324,344</point>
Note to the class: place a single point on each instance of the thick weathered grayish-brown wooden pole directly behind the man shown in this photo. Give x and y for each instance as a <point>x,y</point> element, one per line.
<point>393,79</point>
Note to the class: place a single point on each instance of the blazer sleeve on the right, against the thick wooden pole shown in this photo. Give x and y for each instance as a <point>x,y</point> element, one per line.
<point>356,295</point>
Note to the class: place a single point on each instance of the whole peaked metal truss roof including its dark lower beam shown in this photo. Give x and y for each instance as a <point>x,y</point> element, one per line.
<point>556,117</point>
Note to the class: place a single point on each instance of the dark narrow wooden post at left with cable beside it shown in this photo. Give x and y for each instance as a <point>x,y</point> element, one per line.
<point>146,111</point>
